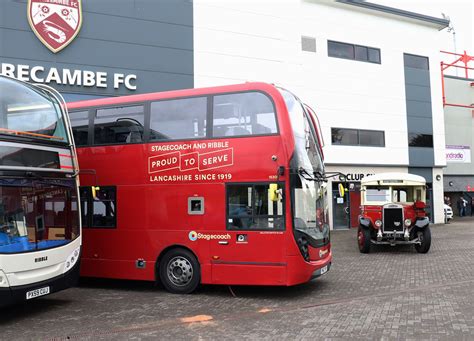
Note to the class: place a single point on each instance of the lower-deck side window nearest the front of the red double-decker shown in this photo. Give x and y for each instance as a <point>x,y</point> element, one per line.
<point>249,208</point>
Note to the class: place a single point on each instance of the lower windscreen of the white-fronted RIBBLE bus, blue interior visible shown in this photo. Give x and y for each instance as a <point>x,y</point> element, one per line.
<point>37,214</point>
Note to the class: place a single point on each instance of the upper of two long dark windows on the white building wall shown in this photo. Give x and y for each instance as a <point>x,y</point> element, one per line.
<point>354,52</point>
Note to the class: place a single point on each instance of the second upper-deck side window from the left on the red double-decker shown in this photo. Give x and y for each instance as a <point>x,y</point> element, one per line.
<point>119,125</point>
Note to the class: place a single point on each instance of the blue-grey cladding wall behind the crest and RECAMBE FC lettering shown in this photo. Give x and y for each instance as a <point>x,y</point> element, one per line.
<point>150,38</point>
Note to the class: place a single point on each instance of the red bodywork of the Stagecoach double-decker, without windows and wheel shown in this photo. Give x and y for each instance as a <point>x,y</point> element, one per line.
<point>154,183</point>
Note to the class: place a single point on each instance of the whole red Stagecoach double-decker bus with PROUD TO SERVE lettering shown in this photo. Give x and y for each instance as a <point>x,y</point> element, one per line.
<point>219,185</point>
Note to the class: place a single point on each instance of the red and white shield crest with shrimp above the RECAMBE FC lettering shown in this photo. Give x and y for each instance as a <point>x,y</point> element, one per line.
<point>55,22</point>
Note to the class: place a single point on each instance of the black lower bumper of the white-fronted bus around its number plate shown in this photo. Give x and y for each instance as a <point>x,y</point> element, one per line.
<point>18,294</point>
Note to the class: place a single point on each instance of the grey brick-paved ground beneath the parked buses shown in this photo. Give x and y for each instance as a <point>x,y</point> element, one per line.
<point>391,293</point>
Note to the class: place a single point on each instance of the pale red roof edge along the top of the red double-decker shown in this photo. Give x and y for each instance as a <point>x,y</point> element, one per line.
<point>173,94</point>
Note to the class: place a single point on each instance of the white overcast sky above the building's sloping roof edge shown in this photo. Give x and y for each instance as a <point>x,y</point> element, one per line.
<point>461,13</point>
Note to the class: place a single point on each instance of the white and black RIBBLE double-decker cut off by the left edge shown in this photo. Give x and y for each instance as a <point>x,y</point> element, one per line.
<point>40,227</point>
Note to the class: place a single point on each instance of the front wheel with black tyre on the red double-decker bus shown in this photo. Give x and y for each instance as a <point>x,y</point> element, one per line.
<point>179,271</point>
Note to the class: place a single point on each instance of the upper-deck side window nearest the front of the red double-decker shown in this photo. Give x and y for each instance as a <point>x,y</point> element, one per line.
<point>241,114</point>
